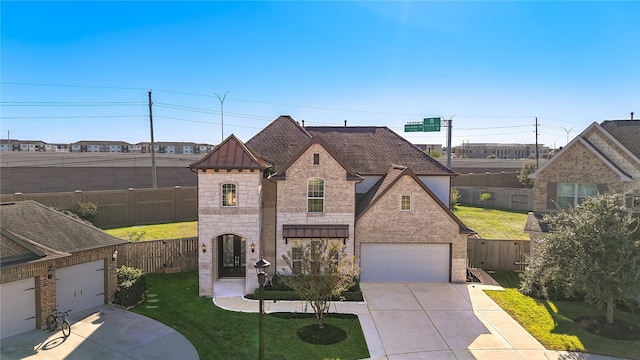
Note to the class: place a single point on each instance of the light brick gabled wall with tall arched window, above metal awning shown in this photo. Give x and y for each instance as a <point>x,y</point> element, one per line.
<point>339,200</point>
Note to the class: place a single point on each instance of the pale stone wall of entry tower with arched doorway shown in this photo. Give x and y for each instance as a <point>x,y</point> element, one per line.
<point>213,220</point>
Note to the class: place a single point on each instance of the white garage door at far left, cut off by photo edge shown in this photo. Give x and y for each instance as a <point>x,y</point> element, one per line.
<point>18,307</point>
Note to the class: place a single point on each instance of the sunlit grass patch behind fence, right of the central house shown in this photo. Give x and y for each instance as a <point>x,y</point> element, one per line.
<point>494,224</point>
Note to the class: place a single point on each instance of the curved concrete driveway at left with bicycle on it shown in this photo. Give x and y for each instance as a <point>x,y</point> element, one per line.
<point>105,332</point>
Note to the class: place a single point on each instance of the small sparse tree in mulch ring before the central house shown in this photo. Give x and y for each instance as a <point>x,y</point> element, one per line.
<point>325,271</point>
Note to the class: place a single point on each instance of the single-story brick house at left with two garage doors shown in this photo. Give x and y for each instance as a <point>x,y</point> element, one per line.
<point>48,259</point>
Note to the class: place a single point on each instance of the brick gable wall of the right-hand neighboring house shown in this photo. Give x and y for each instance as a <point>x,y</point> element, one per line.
<point>577,164</point>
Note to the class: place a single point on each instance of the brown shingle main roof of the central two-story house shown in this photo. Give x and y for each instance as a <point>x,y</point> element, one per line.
<point>368,150</point>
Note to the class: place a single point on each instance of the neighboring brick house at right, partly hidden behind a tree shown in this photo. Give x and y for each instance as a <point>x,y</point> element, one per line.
<point>604,158</point>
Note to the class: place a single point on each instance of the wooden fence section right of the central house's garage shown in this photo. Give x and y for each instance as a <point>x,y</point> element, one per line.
<point>492,254</point>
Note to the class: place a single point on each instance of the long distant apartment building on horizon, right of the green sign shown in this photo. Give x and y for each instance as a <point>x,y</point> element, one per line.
<point>500,151</point>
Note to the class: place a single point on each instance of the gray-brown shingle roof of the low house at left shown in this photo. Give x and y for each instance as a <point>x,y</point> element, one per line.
<point>53,229</point>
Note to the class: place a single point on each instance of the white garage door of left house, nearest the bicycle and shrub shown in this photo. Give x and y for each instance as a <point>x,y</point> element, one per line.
<point>80,287</point>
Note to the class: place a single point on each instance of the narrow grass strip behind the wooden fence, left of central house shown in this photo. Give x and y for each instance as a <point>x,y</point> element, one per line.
<point>158,231</point>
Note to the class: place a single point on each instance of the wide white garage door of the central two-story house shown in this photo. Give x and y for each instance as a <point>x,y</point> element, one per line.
<point>405,262</point>
